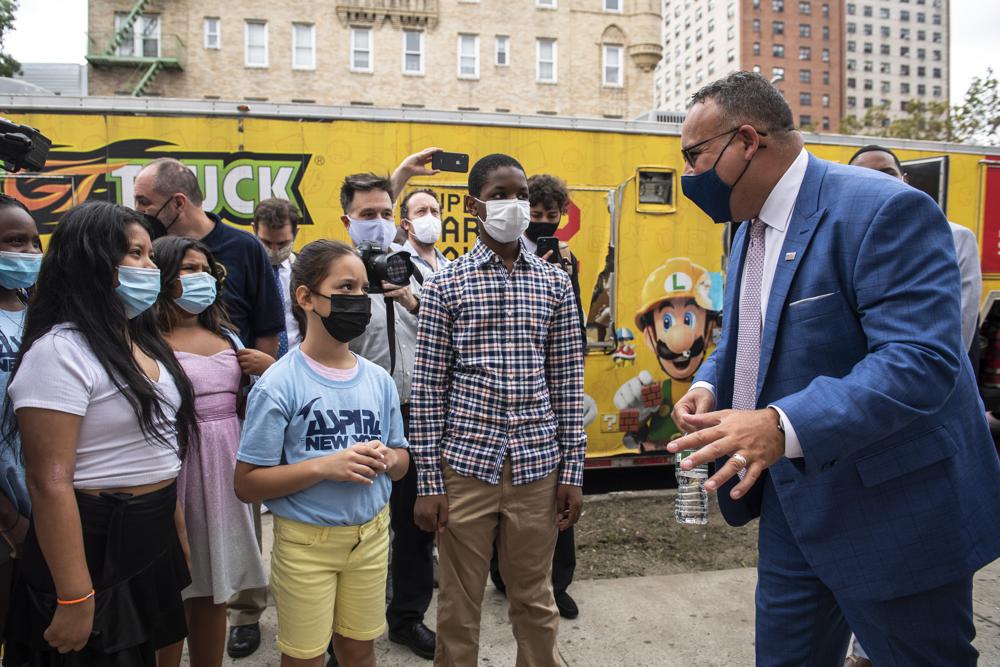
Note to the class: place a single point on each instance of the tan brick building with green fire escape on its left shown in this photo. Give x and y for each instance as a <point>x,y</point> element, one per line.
<point>560,57</point>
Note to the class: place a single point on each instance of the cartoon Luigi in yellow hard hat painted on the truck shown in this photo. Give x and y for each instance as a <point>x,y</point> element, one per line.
<point>678,319</point>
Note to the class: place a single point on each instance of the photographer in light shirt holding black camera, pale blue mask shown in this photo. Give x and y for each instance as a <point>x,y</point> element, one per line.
<point>390,341</point>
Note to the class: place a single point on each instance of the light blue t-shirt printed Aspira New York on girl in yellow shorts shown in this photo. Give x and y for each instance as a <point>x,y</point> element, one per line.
<point>295,414</point>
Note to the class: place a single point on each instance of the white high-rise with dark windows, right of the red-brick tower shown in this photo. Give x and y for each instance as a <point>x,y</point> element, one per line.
<point>895,51</point>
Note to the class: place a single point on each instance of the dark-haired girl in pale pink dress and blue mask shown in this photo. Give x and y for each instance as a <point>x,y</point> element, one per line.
<point>220,528</point>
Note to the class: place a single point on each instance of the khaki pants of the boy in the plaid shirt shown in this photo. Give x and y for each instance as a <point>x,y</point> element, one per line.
<point>524,517</point>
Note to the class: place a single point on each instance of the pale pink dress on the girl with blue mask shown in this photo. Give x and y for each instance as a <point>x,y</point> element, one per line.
<point>225,558</point>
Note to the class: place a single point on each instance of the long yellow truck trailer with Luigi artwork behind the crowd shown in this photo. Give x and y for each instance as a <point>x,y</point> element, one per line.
<point>651,264</point>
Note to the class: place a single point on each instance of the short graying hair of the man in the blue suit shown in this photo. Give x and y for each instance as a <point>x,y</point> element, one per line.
<point>747,98</point>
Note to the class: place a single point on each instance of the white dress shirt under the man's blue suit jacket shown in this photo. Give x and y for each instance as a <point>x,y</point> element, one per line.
<point>776,213</point>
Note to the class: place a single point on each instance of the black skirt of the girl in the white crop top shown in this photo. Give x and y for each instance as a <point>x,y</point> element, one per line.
<point>138,569</point>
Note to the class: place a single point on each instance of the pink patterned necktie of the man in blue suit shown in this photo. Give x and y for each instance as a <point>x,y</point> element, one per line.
<point>750,325</point>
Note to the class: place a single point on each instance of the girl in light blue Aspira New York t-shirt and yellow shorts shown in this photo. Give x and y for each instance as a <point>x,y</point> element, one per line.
<point>322,438</point>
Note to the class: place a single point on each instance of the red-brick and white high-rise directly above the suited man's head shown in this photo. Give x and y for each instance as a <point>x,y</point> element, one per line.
<point>798,44</point>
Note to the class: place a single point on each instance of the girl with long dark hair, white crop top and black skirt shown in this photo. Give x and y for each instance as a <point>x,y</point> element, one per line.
<point>105,415</point>
